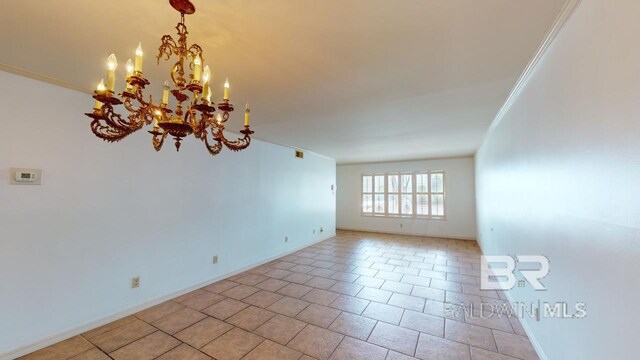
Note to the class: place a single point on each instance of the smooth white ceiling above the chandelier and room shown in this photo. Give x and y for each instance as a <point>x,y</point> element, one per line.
<point>357,80</point>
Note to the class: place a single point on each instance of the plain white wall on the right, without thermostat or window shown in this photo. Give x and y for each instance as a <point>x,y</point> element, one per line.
<point>560,176</point>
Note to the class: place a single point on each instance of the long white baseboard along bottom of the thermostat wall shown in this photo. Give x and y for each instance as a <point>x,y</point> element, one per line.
<point>77,330</point>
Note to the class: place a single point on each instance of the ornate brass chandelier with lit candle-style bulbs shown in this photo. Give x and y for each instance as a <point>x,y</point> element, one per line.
<point>194,112</point>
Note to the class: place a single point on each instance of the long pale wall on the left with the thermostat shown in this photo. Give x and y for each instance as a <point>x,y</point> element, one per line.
<point>108,212</point>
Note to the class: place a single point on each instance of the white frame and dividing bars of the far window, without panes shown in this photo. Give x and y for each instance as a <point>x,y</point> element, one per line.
<point>414,195</point>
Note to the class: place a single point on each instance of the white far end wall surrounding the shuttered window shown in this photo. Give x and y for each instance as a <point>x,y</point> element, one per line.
<point>460,199</point>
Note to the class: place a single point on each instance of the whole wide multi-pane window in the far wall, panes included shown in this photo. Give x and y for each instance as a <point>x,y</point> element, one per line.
<point>404,194</point>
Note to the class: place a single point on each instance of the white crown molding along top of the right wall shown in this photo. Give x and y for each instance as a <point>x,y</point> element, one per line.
<point>561,20</point>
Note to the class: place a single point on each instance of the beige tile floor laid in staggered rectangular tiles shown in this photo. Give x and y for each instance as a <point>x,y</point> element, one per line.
<point>355,296</point>
